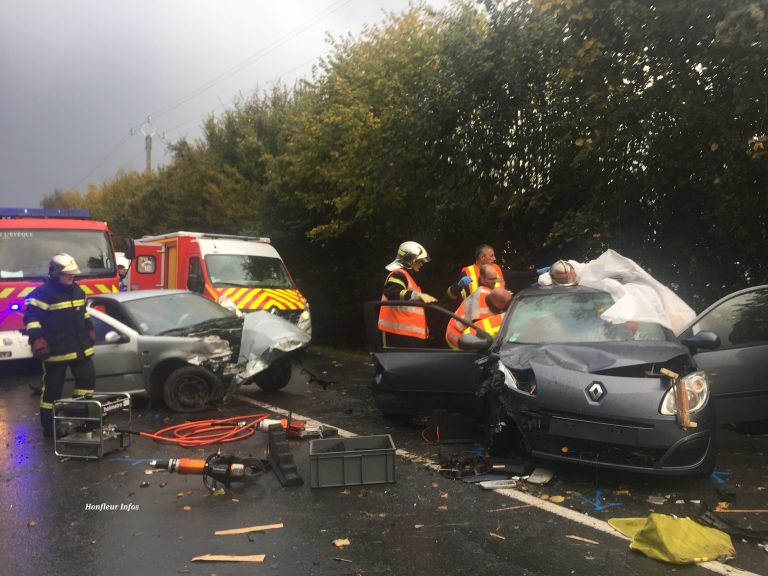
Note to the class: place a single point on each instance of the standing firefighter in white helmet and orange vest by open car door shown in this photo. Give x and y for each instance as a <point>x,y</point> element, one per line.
<point>405,326</point>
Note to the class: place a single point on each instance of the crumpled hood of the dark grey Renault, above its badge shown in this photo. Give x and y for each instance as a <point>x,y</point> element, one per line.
<point>590,358</point>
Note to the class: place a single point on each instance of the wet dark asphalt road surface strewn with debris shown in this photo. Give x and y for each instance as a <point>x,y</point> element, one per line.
<point>67,516</point>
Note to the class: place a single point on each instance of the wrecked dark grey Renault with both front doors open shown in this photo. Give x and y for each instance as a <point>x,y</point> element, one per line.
<point>580,389</point>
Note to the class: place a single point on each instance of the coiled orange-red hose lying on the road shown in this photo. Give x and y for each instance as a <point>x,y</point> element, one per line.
<point>207,432</point>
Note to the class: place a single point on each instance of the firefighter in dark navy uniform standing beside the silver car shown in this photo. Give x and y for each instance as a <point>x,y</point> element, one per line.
<point>61,335</point>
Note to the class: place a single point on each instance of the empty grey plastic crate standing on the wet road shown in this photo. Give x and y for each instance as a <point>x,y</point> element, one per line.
<point>351,461</point>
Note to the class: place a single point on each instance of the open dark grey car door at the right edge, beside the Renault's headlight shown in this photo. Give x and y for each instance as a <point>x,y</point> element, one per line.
<point>738,369</point>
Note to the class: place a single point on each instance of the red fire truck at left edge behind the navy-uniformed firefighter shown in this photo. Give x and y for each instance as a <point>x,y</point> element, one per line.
<point>29,237</point>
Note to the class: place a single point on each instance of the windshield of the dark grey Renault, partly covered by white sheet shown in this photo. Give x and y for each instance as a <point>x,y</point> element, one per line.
<point>572,317</point>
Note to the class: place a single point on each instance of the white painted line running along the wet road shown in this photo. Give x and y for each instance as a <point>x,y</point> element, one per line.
<point>524,497</point>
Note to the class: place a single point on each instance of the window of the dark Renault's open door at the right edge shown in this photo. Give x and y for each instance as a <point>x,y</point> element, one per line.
<point>739,321</point>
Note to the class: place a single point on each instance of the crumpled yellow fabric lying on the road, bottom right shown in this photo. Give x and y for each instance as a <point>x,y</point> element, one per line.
<point>675,540</point>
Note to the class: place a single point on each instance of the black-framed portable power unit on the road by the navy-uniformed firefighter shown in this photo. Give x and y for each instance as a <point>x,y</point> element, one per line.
<point>91,426</point>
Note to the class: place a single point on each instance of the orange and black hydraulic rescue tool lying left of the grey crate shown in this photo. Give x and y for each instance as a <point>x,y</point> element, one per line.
<point>217,468</point>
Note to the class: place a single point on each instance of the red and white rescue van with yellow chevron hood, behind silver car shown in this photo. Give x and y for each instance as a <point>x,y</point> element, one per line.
<point>238,271</point>
